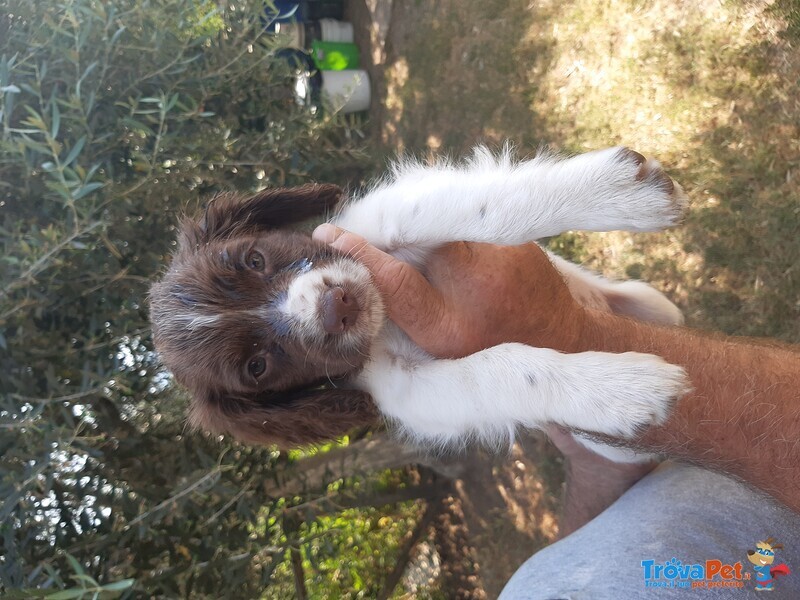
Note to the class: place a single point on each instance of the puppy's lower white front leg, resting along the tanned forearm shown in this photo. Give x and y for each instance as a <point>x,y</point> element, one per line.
<point>487,394</point>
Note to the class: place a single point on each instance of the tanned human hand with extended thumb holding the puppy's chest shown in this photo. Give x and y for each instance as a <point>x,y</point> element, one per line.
<point>472,296</point>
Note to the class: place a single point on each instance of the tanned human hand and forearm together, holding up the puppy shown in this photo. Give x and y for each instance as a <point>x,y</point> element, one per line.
<point>742,416</point>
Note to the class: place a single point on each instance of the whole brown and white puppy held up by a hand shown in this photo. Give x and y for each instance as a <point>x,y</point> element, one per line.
<point>283,340</point>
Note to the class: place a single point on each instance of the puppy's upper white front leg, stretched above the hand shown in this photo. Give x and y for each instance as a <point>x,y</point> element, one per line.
<point>496,200</point>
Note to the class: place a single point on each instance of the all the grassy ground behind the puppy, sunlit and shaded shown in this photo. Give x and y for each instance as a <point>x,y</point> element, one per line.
<point>709,88</point>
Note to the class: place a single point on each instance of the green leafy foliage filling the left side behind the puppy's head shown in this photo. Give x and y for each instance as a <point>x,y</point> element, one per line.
<point>116,116</point>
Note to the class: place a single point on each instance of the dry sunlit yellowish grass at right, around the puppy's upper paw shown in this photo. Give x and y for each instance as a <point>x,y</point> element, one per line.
<point>711,89</point>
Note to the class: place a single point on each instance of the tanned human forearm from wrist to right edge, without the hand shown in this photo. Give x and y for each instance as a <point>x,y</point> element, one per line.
<point>743,415</point>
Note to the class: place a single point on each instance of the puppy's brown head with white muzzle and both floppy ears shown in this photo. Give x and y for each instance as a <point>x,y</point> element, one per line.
<point>261,323</point>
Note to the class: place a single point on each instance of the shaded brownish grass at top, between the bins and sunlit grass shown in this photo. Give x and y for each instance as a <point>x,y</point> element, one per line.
<point>457,73</point>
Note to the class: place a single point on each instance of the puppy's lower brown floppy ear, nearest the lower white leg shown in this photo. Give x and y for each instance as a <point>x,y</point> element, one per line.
<point>286,419</point>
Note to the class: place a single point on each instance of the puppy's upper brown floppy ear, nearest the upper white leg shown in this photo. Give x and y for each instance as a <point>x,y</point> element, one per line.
<point>227,214</point>
